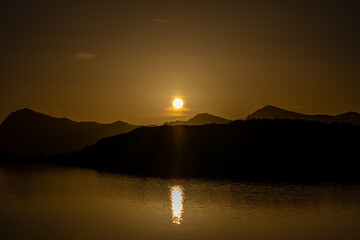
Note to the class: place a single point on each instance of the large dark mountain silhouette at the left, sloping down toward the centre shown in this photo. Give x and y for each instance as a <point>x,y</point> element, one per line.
<point>29,133</point>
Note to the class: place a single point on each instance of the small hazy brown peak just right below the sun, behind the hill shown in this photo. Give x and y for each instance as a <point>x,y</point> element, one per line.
<point>200,119</point>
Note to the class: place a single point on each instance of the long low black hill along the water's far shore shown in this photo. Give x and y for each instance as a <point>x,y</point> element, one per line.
<point>246,150</point>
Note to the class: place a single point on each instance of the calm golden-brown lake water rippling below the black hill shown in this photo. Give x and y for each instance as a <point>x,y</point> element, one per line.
<point>48,202</point>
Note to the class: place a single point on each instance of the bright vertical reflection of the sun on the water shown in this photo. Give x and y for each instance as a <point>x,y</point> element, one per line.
<point>177,203</point>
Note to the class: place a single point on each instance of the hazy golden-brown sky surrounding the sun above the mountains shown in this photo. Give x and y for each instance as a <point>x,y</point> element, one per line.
<point>127,60</point>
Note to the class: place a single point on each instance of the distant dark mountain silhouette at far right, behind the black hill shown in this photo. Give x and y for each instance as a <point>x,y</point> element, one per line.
<point>271,112</point>
